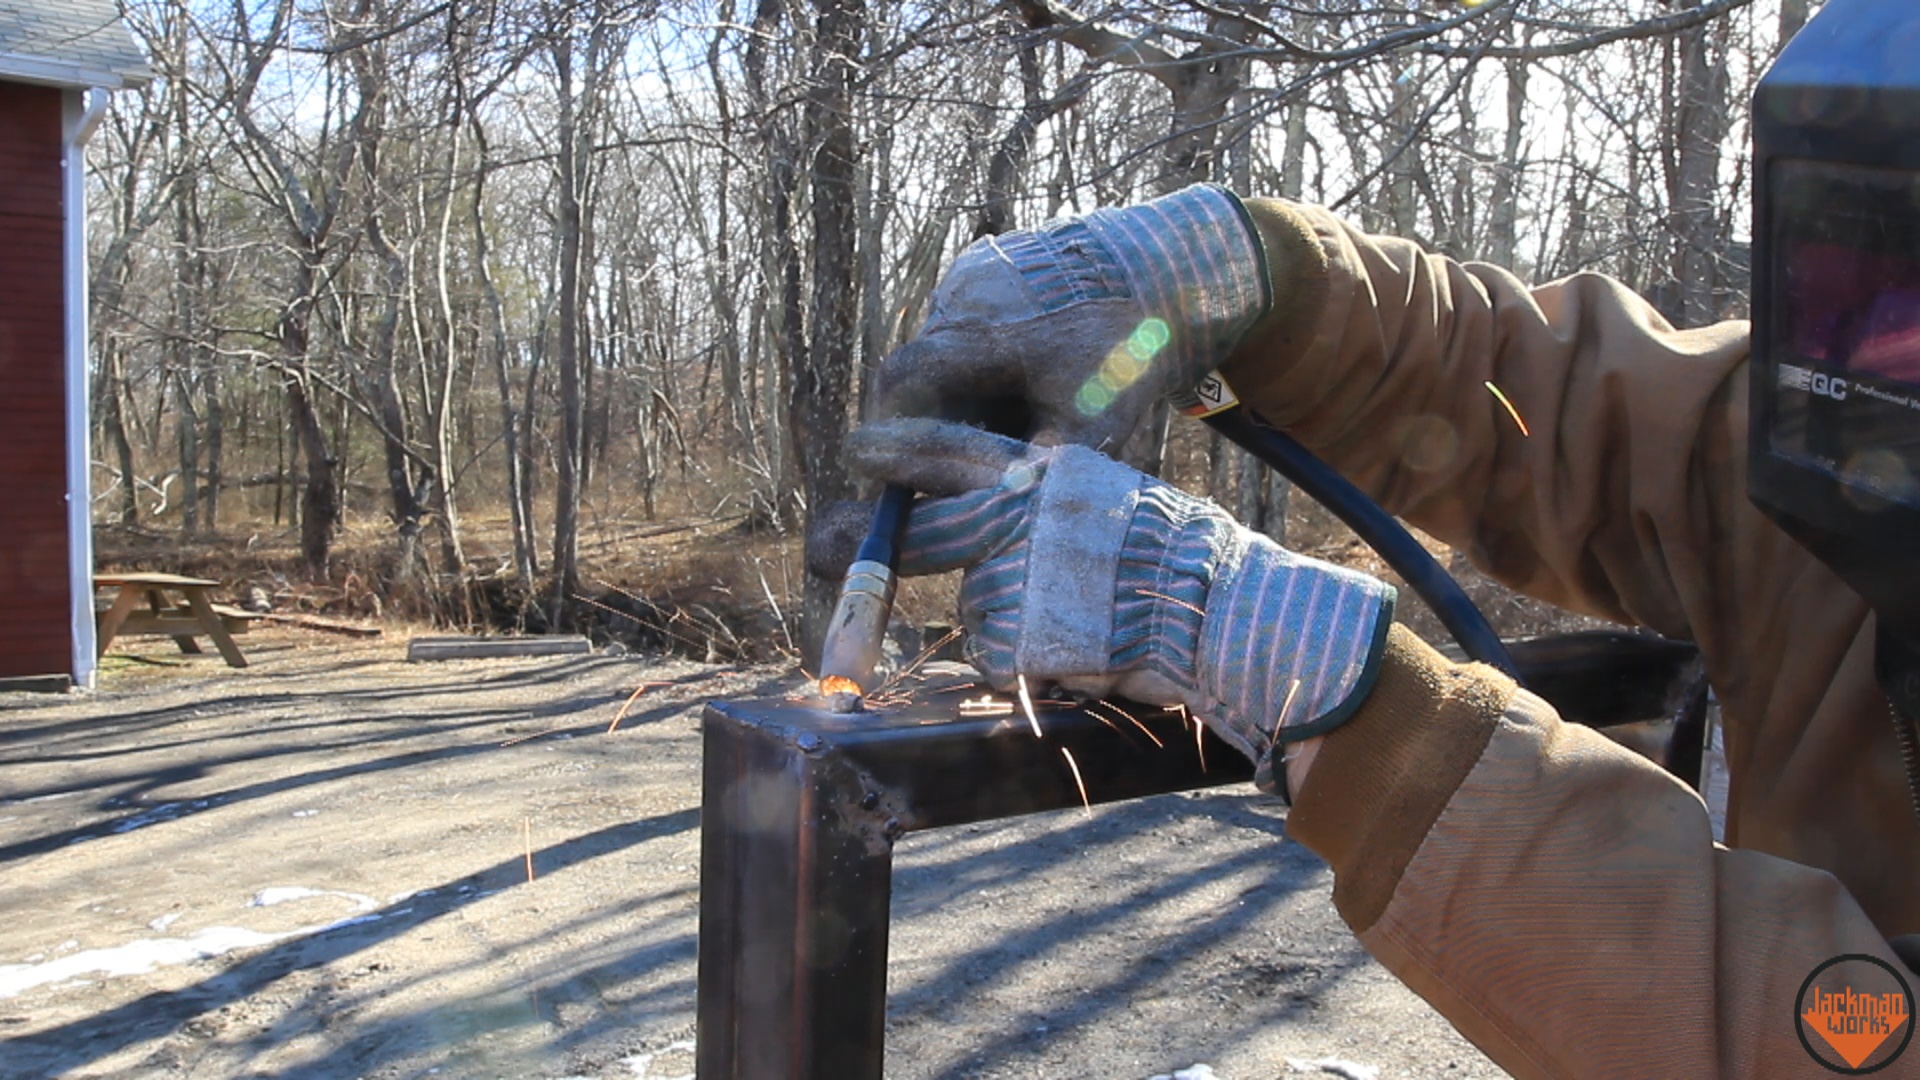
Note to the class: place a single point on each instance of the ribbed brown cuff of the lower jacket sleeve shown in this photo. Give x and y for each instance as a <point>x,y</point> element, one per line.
<point>1378,785</point>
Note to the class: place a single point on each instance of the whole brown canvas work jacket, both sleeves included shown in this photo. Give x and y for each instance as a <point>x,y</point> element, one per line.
<point>1558,898</point>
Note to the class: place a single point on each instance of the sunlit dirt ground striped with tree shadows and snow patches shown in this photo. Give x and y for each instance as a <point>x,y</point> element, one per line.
<point>337,864</point>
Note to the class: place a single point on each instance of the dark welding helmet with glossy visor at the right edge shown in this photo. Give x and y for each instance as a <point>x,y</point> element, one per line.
<point>1835,447</point>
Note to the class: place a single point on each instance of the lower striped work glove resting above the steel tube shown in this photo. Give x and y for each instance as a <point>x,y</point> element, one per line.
<point>1099,579</point>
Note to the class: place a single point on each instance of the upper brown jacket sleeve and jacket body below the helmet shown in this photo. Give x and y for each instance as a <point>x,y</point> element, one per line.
<point>1625,497</point>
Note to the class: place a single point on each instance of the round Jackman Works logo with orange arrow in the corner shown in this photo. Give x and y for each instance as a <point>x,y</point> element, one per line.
<point>1856,1014</point>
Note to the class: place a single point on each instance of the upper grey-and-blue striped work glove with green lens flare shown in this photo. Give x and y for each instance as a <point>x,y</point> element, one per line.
<point>1084,324</point>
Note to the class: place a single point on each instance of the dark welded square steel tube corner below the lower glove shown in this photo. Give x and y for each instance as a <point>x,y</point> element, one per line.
<point>800,816</point>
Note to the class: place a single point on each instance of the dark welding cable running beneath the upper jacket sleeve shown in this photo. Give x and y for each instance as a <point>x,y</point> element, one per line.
<point>1374,526</point>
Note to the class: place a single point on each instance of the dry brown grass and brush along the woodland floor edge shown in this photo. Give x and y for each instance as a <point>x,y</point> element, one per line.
<point>713,587</point>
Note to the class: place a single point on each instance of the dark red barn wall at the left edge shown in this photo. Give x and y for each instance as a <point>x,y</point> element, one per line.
<point>36,601</point>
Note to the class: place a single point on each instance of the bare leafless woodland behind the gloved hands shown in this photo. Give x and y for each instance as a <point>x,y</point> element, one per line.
<point>456,308</point>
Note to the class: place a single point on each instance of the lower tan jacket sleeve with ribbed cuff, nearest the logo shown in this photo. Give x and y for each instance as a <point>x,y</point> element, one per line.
<point>1556,898</point>
